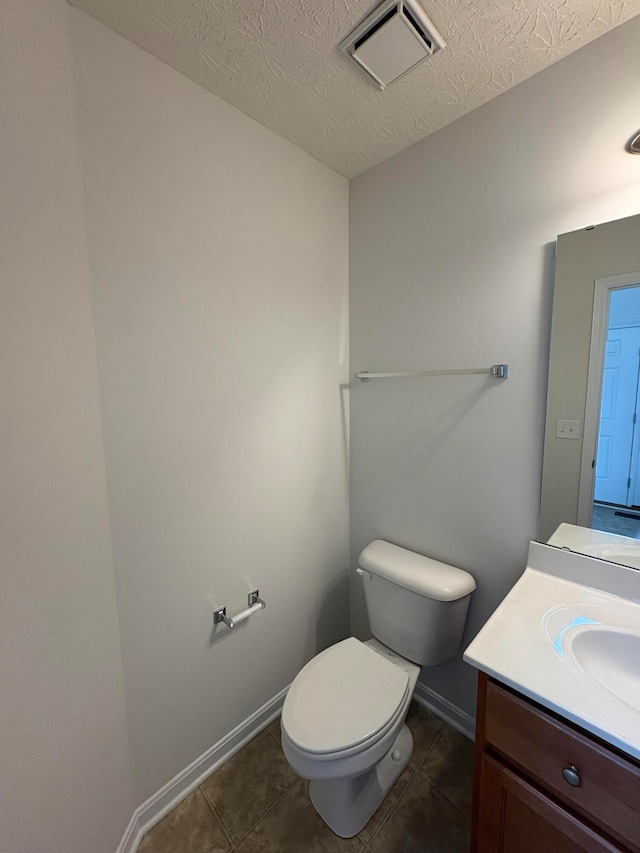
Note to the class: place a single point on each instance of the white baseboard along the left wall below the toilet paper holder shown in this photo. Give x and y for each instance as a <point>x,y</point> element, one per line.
<point>161,803</point>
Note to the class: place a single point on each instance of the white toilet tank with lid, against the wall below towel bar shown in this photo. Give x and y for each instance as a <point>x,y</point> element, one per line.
<point>417,606</point>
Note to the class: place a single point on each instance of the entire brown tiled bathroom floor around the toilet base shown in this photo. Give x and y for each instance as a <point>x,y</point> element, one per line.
<point>256,804</point>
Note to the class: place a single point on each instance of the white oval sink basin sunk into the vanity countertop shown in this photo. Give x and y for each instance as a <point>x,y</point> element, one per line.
<point>611,657</point>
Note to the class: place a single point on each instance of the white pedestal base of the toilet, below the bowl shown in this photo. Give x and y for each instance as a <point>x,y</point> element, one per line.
<point>347,805</point>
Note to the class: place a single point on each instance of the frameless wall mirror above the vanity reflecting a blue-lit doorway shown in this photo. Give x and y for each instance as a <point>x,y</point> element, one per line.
<point>597,269</point>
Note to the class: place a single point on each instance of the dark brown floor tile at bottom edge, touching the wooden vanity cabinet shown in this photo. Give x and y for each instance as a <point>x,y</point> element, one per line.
<point>421,821</point>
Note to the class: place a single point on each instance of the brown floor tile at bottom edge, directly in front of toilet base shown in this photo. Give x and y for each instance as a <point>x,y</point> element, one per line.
<point>293,826</point>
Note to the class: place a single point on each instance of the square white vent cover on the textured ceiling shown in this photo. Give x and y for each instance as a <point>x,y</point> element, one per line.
<point>393,40</point>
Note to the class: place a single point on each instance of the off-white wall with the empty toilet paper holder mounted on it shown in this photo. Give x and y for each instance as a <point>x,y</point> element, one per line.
<point>219,269</point>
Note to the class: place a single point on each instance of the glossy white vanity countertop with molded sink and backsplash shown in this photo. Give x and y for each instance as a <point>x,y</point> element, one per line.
<point>531,643</point>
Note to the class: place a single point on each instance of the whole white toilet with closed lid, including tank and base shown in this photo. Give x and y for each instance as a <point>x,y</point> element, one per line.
<point>343,718</point>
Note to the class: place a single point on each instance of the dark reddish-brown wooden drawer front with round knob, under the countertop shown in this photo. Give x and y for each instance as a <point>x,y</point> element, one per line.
<point>541,746</point>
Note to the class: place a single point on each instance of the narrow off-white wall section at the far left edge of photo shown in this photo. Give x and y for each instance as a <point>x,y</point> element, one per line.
<point>65,785</point>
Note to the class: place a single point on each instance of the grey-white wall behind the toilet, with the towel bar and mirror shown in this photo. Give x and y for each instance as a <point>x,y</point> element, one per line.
<point>452,266</point>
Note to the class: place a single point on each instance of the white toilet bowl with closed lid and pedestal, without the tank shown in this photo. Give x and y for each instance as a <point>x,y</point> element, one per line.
<point>343,729</point>
